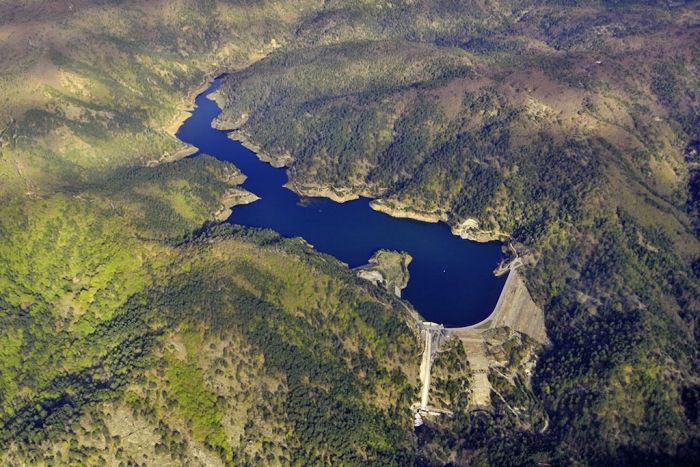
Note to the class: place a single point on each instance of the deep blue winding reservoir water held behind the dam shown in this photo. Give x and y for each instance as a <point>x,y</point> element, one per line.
<point>451,279</point>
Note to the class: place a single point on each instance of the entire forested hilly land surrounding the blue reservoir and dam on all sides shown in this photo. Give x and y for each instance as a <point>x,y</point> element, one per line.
<point>135,331</point>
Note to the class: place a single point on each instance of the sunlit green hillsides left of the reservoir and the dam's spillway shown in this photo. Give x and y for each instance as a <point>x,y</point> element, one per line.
<point>130,331</point>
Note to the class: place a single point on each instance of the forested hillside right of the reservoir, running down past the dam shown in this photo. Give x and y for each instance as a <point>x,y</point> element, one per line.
<point>570,127</point>
